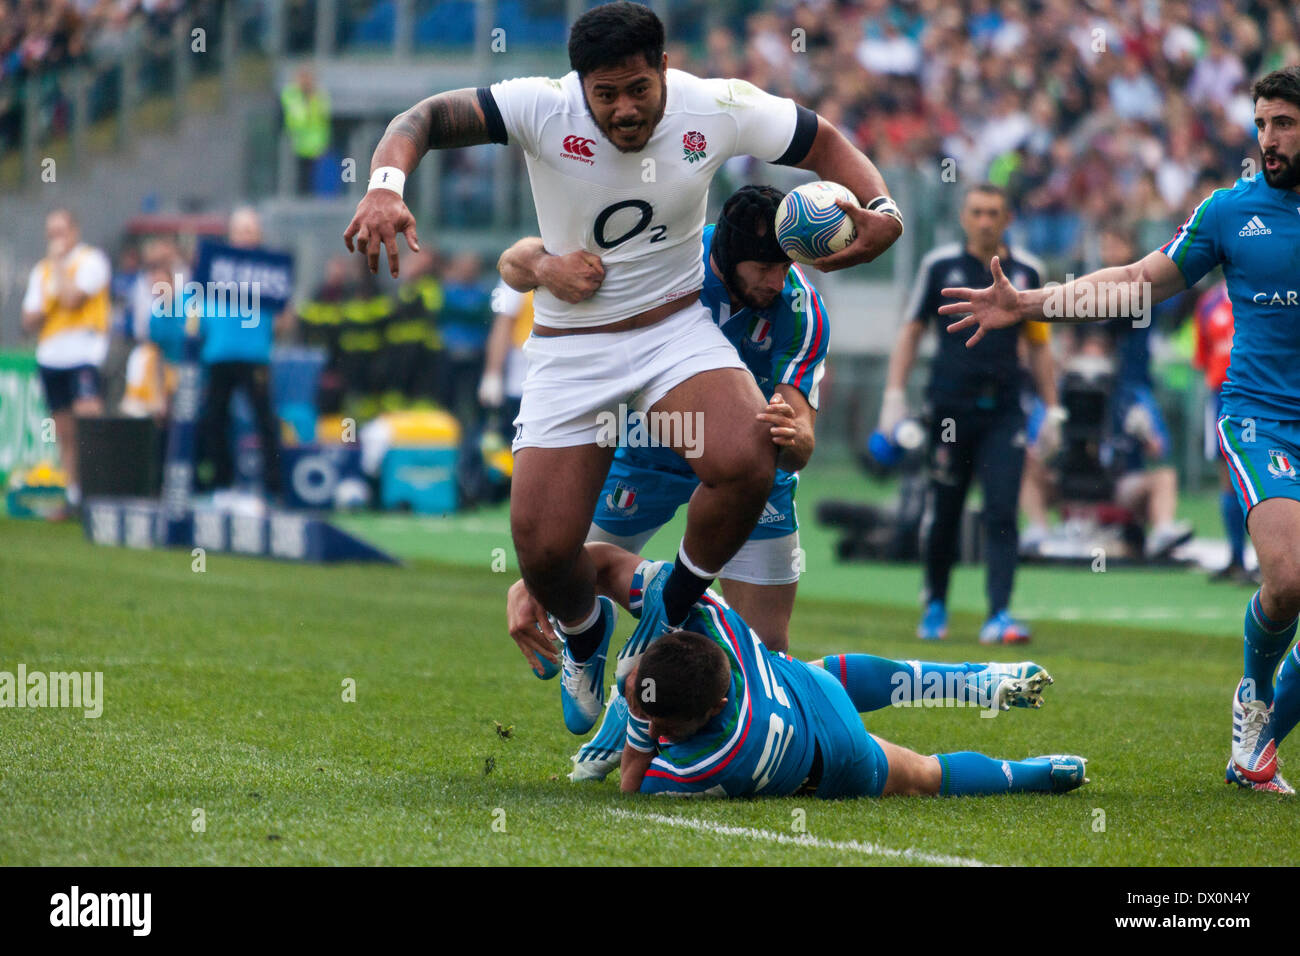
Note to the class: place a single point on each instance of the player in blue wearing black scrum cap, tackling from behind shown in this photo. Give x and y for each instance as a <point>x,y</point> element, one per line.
<point>778,325</point>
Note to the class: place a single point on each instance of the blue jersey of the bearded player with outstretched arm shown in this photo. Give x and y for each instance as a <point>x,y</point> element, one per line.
<point>1254,232</point>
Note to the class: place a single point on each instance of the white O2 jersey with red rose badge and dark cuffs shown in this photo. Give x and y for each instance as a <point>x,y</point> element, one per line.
<point>642,213</point>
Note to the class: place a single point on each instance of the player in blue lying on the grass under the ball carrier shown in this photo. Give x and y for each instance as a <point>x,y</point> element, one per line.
<point>720,715</point>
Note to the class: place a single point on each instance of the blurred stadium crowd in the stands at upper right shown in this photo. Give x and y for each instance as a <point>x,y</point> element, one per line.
<point>1087,114</point>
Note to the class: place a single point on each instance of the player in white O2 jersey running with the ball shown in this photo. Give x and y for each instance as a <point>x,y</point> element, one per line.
<point>621,153</point>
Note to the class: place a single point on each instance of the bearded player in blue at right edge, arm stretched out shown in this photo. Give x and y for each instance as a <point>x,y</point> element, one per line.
<point>1254,232</point>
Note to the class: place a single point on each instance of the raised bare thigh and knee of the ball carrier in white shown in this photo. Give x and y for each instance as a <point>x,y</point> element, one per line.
<point>727,438</point>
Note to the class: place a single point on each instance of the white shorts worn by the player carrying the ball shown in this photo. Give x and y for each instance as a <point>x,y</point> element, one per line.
<point>571,380</point>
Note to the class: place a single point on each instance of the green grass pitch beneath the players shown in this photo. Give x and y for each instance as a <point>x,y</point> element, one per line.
<point>224,695</point>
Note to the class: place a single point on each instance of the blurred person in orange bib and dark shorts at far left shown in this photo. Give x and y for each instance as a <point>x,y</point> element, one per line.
<point>67,308</point>
